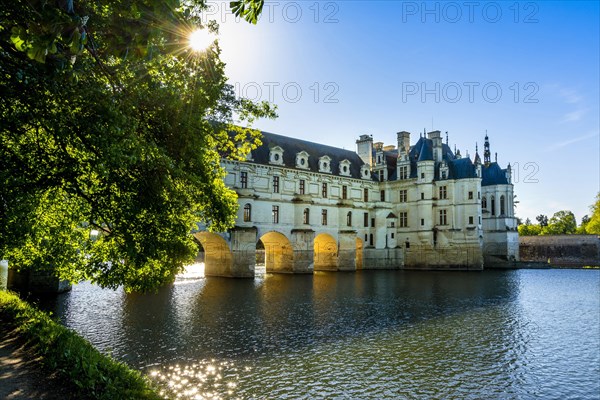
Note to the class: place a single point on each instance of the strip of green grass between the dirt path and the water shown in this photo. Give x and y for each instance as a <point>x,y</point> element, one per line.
<point>91,374</point>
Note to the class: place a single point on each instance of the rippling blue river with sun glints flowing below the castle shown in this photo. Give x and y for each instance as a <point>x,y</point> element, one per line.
<point>516,334</point>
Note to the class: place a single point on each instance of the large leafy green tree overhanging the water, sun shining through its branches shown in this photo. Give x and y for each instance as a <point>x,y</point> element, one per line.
<point>110,123</point>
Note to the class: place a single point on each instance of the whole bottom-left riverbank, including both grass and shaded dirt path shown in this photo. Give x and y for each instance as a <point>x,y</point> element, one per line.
<point>38,345</point>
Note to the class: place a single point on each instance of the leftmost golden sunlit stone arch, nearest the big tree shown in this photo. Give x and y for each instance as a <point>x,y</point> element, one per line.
<point>217,256</point>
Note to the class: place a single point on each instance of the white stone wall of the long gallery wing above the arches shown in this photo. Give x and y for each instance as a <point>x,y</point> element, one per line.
<point>259,194</point>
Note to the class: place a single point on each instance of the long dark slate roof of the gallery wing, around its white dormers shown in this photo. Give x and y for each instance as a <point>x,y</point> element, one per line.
<point>293,146</point>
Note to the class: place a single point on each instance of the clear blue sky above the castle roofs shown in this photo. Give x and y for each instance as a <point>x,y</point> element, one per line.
<point>527,72</point>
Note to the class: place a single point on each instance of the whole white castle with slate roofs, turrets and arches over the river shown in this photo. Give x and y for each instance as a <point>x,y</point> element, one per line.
<point>313,207</point>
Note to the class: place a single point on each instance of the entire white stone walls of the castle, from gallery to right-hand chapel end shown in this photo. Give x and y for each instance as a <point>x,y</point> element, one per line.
<point>423,232</point>
